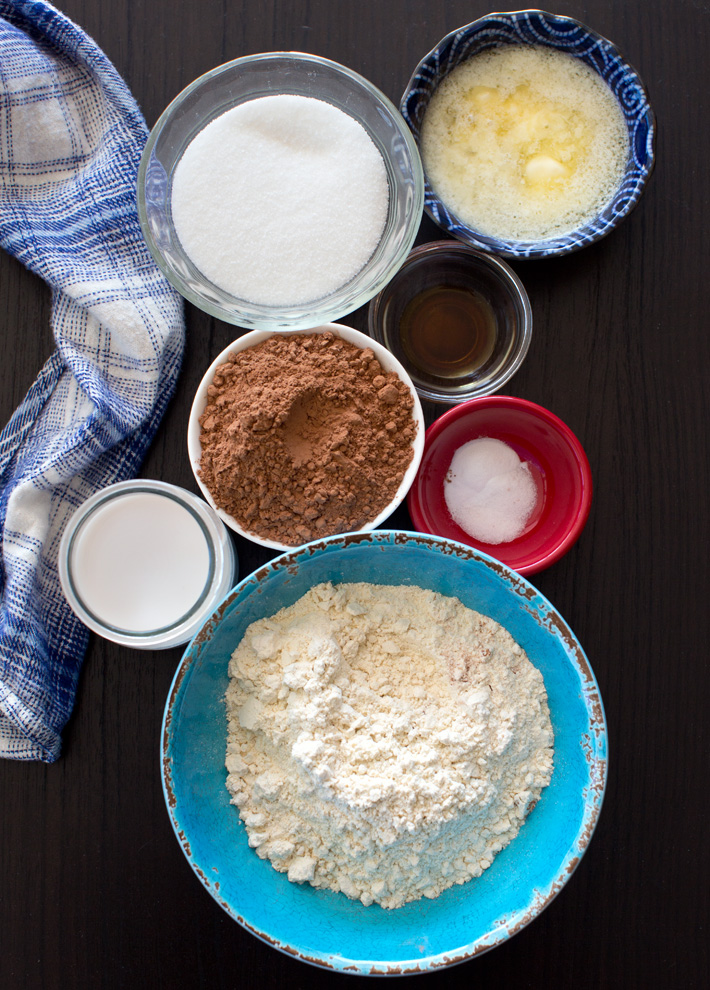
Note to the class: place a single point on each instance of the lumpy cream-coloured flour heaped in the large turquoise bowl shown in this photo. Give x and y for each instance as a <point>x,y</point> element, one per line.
<point>384,741</point>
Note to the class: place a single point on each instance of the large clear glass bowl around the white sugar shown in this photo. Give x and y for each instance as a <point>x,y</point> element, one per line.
<point>246,79</point>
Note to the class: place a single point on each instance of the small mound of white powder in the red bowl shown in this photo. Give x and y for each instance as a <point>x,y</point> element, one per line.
<point>489,491</point>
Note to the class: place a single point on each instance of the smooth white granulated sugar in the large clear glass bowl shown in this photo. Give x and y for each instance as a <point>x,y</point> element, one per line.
<point>280,200</point>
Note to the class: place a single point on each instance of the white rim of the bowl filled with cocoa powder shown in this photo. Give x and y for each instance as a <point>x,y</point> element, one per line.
<point>388,361</point>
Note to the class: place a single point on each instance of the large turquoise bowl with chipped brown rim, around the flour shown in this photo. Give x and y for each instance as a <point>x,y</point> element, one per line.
<point>327,929</point>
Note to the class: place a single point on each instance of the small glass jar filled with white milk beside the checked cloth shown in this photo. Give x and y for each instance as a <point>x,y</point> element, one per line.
<point>144,563</point>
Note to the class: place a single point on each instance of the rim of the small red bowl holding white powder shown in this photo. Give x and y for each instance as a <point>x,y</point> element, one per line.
<point>572,443</point>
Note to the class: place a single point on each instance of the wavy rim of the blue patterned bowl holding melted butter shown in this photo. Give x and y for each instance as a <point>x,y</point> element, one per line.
<point>510,247</point>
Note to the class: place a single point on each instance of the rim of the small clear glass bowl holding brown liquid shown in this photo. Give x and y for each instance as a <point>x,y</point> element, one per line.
<point>374,316</point>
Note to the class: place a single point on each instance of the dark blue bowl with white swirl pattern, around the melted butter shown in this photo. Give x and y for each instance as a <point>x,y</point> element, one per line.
<point>536,27</point>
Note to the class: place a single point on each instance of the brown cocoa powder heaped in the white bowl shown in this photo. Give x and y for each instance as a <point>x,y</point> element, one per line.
<point>305,436</point>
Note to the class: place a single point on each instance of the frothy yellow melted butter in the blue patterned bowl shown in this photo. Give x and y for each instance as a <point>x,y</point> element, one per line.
<point>524,142</point>
